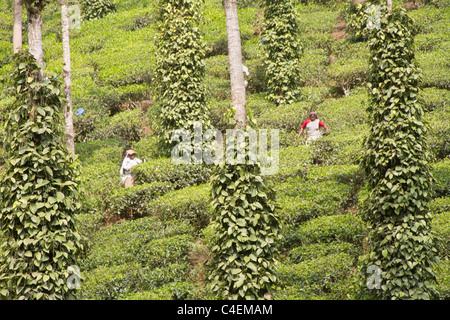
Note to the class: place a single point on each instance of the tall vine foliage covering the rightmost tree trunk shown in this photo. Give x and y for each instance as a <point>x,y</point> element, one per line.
<point>396,166</point>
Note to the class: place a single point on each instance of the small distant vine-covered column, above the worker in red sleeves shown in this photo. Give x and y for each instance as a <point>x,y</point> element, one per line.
<point>282,51</point>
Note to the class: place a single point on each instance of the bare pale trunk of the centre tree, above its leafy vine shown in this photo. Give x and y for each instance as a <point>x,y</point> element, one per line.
<point>235,62</point>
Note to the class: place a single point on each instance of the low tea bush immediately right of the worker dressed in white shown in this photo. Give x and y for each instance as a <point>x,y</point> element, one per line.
<point>165,170</point>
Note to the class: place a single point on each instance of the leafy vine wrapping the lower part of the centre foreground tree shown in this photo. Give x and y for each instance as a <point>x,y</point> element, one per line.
<point>247,232</point>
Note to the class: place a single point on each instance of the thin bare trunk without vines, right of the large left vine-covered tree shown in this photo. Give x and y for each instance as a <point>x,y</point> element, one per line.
<point>68,111</point>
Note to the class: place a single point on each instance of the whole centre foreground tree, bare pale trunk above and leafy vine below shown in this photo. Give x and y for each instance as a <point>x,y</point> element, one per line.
<point>244,256</point>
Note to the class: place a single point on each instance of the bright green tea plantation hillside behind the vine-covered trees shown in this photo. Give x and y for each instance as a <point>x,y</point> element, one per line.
<point>151,241</point>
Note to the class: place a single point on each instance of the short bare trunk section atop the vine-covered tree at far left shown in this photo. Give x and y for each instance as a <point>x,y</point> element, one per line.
<point>34,12</point>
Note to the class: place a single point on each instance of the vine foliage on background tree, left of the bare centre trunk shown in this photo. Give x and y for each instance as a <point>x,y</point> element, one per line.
<point>180,67</point>
